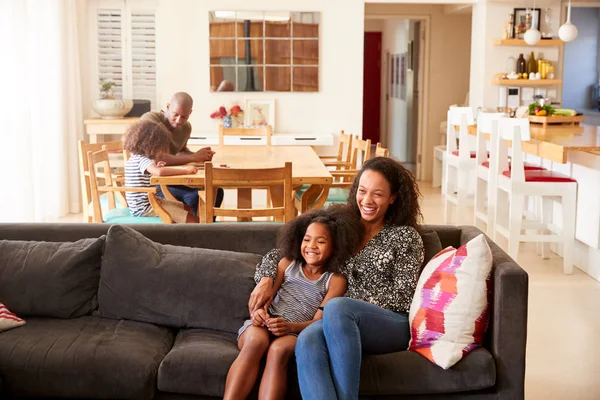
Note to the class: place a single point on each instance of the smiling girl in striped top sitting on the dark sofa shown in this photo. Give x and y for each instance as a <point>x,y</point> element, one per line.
<point>314,245</point>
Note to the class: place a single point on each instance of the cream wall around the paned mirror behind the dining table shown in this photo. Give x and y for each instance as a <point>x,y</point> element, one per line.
<point>183,64</point>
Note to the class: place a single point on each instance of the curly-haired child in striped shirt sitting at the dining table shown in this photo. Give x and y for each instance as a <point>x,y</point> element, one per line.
<point>147,141</point>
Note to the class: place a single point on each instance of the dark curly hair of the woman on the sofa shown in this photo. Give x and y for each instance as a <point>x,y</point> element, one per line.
<point>405,211</point>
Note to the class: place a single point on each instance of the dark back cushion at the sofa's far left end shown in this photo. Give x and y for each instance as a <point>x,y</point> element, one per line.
<point>46,279</point>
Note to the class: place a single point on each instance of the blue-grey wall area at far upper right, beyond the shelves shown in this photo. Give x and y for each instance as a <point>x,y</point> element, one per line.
<point>581,59</point>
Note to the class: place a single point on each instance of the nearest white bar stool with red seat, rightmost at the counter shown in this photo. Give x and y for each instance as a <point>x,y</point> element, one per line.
<point>516,184</point>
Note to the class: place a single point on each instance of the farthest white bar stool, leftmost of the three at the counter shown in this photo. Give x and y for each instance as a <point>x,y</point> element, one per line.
<point>459,163</point>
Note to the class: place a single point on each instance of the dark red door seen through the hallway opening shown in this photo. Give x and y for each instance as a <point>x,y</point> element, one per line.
<point>372,86</point>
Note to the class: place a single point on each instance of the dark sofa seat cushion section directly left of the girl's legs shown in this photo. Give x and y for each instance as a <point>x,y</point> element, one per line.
<point>198,363</point>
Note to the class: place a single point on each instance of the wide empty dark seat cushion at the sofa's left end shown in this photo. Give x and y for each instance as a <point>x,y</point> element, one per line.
<point>87,357</point>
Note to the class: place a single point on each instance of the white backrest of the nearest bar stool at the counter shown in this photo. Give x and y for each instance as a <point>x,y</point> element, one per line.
<point>515,130</point>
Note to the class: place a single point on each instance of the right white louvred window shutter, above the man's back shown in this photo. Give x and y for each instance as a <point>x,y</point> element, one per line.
<point>143,55</point>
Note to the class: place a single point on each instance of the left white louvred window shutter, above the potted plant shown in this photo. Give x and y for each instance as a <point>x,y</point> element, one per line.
<point>110,49</point>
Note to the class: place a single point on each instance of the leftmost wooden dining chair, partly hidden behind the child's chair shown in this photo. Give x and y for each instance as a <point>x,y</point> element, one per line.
<point>84,171</point>
